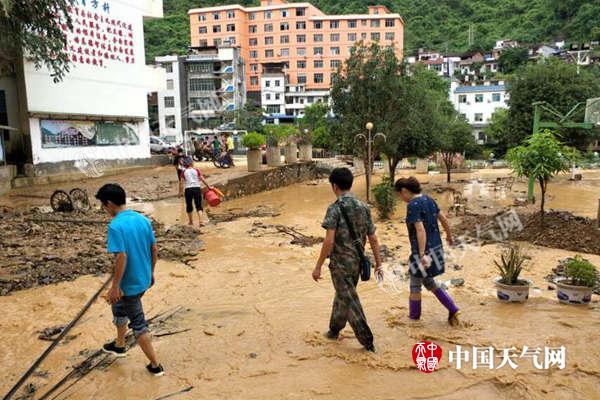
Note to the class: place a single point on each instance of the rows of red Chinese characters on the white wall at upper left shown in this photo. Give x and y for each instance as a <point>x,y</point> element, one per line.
<point>97,37</point>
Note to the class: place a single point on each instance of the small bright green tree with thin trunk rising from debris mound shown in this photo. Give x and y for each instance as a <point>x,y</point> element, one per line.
<point>541,157</point>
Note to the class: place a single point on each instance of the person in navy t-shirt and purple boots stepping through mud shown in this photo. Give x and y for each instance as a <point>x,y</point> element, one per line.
<point>427,253</point>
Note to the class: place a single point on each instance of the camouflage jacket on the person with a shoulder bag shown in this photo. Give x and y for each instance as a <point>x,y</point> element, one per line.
<point>344,254</point>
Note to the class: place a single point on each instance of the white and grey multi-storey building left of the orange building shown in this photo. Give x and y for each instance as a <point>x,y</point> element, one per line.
<point>201,87</point>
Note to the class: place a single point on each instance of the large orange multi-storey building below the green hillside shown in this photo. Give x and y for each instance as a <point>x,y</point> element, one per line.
<point>295,41</point>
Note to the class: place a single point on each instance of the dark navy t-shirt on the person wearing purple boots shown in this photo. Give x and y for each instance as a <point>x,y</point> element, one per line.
<point>424,209</point>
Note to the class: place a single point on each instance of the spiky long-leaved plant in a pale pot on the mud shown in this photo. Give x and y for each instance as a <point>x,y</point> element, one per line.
<point>509,287</point>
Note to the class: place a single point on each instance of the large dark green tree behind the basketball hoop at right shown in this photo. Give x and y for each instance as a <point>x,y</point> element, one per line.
<point>556,82</point>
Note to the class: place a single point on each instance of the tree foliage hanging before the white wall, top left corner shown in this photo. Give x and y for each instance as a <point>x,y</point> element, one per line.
<point>34,28</point>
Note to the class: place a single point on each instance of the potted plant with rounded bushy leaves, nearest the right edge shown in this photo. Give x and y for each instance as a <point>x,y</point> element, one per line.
<point>578,284</point>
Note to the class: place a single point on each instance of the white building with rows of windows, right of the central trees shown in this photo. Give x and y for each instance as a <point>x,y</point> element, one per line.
<point>477,103</point>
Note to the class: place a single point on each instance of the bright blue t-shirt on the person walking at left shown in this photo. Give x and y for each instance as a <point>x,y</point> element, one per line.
<point>131,233</point>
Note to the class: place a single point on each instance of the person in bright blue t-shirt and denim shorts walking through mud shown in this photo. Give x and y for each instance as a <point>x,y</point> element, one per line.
<point>131,238</point>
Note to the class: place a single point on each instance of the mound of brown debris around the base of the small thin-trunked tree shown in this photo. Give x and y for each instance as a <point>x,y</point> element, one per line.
<point>562,230</point>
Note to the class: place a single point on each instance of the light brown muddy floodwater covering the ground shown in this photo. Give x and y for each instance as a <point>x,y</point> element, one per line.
<point>253,318</point>
